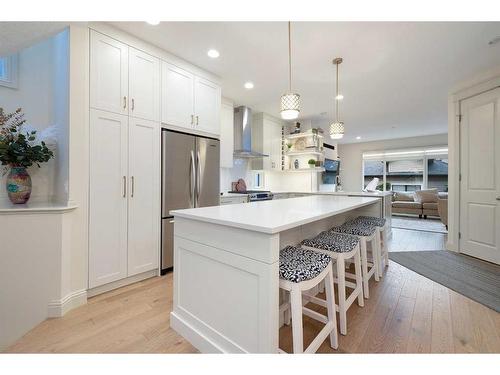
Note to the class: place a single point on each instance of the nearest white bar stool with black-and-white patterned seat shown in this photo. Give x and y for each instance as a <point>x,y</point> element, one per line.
<point>300,270</point>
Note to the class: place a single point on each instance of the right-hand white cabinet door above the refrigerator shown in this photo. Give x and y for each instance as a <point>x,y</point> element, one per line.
<point>207,105</point>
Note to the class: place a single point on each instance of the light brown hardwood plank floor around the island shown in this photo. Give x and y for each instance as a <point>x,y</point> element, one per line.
<point>406,313</point>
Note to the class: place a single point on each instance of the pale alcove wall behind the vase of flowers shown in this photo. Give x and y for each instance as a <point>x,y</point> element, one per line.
<point>42,94</point>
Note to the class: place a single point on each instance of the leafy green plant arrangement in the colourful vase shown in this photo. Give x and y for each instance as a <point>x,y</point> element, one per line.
<point>18,148</point>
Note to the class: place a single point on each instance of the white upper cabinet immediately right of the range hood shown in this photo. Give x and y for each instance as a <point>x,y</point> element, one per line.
<point>267,139</point>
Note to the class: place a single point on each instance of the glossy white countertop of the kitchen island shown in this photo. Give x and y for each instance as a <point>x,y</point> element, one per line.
<point>275,216</point>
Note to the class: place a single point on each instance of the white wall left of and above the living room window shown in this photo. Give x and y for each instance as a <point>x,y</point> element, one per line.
<point>351,160</point>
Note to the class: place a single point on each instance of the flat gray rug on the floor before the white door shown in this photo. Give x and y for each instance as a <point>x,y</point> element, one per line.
<point>473,278</point>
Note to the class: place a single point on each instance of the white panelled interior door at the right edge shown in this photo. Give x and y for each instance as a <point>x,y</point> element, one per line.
<point>480,176</point>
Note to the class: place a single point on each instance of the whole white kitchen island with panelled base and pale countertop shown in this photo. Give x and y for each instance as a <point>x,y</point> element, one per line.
<point>226,259</point>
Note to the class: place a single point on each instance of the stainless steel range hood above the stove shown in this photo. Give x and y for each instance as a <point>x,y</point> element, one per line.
<point>243,134</point>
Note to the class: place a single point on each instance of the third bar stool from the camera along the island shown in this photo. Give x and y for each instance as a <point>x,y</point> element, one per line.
<point>366,233</point>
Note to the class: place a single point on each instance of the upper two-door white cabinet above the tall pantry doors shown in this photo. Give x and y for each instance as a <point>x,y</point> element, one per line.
<point>123,79</point>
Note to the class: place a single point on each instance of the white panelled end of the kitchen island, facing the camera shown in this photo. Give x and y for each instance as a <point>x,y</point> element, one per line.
<point>226,288</point>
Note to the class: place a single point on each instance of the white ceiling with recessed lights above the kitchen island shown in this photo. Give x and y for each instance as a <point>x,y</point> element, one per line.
<point>395,77</point>
